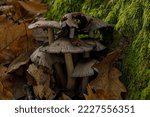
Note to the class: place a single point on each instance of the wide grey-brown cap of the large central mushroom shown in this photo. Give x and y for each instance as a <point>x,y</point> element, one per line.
<point>65,46</point>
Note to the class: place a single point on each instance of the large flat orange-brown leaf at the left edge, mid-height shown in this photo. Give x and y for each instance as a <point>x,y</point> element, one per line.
<point>14,39</point>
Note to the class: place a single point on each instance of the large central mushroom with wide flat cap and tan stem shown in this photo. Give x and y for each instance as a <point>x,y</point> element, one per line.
<point>65,46</point>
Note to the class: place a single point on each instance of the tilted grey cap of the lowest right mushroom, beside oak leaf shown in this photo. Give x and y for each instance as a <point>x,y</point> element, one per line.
<point>84,68</point>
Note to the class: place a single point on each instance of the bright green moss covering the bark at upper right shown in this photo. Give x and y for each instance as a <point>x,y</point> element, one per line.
<point>132,20</point>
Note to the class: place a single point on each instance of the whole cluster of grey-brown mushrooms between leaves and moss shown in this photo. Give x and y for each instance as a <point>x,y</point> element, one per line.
<point>65,53</point>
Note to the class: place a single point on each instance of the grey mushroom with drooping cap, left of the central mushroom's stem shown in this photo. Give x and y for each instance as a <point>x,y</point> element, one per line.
<point>47,60</point>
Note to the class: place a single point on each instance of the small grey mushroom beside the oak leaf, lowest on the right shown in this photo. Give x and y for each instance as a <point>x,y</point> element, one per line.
<point>84,69</point>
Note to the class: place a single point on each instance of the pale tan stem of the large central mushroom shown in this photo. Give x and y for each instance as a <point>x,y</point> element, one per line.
<point>70,68</point>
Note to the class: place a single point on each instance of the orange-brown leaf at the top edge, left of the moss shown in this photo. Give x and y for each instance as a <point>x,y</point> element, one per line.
<point>33,7</point>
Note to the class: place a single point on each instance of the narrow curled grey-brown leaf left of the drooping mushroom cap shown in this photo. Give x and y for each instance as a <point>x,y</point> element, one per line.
<point>22,59</point>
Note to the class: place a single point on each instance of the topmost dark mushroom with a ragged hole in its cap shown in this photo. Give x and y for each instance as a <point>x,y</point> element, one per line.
<point>84,23</point>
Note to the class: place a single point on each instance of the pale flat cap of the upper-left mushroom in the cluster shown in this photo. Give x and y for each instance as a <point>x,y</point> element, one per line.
<point>42,24</point>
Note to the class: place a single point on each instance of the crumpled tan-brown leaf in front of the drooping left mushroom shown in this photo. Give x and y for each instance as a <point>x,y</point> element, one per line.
<point>42,89</point>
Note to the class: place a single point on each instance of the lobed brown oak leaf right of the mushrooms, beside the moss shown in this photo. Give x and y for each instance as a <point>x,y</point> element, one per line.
<point>108,78</point>
